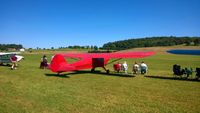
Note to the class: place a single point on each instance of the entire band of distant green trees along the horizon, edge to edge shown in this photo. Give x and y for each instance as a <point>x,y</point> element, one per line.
<point>124,44</point>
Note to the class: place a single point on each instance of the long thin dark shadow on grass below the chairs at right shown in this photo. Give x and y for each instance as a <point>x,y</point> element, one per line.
<point>173,78</point>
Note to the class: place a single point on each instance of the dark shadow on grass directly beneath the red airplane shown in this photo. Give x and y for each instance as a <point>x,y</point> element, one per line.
<point>65,75</point>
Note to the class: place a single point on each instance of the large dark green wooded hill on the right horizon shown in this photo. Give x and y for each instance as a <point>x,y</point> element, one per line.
<point>151,42</point>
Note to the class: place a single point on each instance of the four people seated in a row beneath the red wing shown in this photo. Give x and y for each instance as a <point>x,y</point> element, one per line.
<point>136,68</point>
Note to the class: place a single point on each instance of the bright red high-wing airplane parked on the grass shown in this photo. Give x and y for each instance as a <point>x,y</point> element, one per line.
<point>90,60</point>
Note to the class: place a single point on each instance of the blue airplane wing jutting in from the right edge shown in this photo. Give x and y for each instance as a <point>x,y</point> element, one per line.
<point>185,52</point>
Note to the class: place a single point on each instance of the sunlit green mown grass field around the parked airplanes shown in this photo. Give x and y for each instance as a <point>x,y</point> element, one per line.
<point>32,90</point>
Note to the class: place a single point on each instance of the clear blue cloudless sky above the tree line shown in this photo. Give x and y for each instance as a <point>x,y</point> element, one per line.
<point>62,23</point>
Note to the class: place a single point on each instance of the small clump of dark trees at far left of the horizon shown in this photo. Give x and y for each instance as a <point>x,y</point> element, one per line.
<point>6,47</point>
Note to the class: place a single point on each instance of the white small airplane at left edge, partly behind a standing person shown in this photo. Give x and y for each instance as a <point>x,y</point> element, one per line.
<point>5,57</point>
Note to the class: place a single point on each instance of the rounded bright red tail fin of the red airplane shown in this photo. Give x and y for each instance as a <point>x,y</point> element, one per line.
<point>57,62</point>
